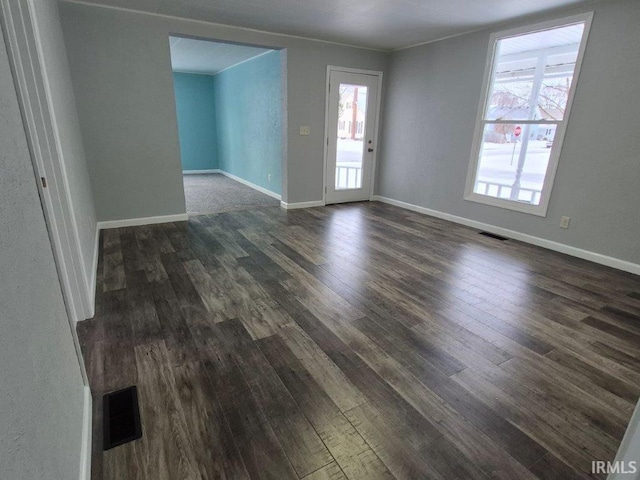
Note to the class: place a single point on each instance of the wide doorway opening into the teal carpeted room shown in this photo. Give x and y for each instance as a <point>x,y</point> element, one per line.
<point>229,107</point>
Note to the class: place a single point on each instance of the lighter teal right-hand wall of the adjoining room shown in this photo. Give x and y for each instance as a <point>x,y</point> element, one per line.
<point>248,101</point>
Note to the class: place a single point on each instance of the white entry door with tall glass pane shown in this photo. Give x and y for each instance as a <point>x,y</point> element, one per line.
<point>352,106</point>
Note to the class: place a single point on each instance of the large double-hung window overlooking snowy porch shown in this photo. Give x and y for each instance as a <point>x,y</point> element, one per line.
<point>530,81</point>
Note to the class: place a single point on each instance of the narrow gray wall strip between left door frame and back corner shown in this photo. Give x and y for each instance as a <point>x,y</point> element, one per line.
<point>63,106</point>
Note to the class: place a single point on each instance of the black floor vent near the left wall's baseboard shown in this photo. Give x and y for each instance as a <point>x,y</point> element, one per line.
<point>121,417</point>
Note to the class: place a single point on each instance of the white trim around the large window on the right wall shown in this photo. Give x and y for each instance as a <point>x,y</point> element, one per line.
<point>541,209</point>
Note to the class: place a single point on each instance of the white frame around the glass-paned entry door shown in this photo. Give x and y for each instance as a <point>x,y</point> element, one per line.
<point>376,130</point>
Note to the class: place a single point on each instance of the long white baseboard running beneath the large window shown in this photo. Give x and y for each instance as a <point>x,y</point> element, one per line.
<point>523,237</point>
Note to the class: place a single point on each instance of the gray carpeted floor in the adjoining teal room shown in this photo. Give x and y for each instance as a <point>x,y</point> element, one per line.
<point>214,193</point>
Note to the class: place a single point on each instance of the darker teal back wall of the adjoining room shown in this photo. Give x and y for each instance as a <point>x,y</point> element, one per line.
<point>195,109</point>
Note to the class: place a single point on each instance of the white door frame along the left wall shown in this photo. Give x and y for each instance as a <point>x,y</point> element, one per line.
<point>23,49</point>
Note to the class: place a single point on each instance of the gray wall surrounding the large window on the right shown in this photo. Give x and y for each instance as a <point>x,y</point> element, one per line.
<point>433,93</point>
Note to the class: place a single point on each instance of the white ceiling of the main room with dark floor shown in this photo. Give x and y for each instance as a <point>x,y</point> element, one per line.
<point>379,24</point>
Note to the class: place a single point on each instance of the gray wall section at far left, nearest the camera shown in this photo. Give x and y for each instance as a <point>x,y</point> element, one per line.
<point>41,389</point>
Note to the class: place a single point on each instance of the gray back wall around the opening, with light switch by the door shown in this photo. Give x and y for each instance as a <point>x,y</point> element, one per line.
<point>121,71</point>
